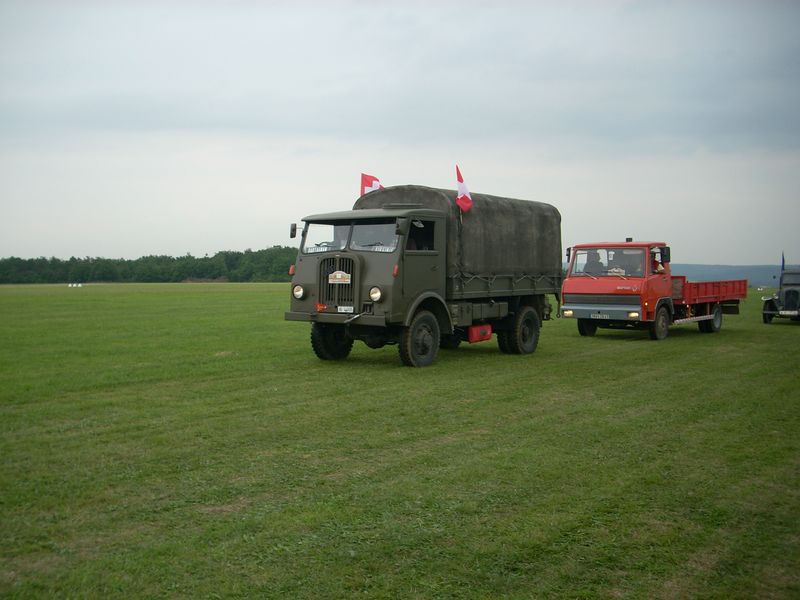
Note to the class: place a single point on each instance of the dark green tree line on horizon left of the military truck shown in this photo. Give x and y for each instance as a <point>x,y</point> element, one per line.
<point>270,264</point>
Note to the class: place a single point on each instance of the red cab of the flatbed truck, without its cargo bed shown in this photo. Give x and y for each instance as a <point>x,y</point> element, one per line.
<point>622,284</point>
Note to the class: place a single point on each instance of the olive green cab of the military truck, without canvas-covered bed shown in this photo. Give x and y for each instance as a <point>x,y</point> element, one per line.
<point>362,274</point>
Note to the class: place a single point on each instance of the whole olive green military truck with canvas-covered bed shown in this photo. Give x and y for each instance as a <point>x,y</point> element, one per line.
<point>406,267</point>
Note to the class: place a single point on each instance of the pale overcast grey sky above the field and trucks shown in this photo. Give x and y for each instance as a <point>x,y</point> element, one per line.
<point>130,128</point>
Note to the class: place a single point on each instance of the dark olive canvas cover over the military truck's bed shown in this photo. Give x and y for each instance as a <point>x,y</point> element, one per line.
<point>499,236</point>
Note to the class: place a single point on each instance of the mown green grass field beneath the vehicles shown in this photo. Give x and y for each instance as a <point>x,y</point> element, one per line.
<point>183,440</point>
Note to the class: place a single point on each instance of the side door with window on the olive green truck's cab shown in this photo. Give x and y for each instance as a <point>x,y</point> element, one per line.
<point>424,268</point>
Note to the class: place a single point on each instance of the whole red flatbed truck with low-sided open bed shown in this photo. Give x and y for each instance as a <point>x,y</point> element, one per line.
<point>629,284</point>
